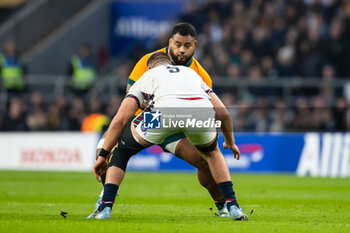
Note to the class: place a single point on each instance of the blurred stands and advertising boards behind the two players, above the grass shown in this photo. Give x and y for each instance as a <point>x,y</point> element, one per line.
<point>280,67</point>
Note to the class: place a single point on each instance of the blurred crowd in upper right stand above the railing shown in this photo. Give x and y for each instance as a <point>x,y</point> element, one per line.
<point>257,38</point>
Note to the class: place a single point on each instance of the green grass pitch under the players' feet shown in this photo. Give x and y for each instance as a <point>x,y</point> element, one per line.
<point>171,202</point>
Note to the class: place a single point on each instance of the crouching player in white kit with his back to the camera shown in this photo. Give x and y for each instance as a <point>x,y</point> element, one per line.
<point>165,85</point>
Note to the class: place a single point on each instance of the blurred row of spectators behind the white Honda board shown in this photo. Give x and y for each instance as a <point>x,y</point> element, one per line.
<point>34,114</point>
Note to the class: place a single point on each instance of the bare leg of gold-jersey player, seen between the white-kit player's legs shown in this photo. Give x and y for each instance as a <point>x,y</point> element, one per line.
<point>188,152</point>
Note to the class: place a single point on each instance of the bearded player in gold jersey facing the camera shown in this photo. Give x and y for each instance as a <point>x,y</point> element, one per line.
<point>181,47</point>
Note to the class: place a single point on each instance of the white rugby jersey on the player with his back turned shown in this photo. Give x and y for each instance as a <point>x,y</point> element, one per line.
<point>169,82</point>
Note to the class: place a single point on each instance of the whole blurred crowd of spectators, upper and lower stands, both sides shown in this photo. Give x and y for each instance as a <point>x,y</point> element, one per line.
<point>256,40</point>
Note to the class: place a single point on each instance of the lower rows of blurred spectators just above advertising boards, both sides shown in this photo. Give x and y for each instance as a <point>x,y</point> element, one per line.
<point>35,114</point>
